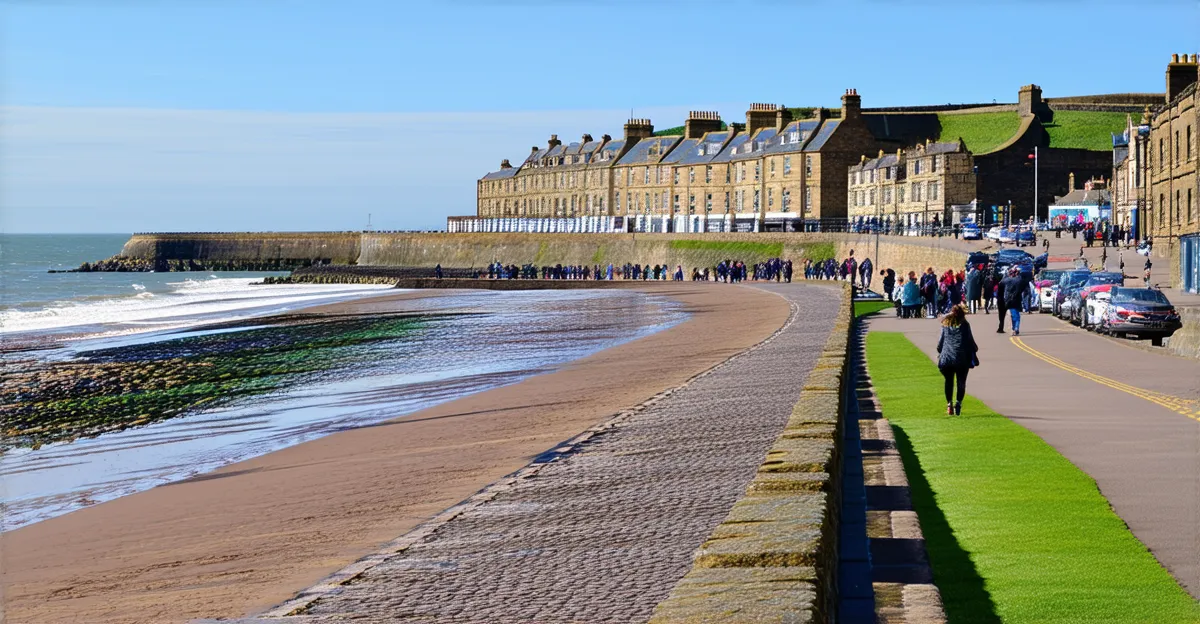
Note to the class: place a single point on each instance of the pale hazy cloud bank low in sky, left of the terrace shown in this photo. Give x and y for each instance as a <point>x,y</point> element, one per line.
<point>110,170</point>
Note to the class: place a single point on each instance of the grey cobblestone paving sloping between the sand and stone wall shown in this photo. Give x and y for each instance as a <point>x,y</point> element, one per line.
<point>604,533</point>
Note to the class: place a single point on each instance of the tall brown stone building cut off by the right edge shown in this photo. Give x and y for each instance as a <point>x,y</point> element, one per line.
<point>1173,185</point>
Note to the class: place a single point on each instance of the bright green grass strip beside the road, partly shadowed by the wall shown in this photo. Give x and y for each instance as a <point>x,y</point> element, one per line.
<point>1016,533</point>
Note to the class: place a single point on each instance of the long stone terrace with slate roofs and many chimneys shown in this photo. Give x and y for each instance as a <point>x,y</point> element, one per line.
<point>772,173</point>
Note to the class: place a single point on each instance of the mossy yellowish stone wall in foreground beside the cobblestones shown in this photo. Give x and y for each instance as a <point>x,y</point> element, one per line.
<point>775,559</point>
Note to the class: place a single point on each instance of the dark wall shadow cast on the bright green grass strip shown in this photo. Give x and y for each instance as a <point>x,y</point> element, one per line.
<point>964,596</point>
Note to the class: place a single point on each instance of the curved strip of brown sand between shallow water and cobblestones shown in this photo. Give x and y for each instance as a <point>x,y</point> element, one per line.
<point>248,537</point>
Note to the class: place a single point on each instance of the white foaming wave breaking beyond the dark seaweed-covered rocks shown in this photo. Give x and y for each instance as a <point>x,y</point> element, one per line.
<point>187,303</point>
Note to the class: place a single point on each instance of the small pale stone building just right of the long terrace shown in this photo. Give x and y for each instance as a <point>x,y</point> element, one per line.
<point>913,188</point>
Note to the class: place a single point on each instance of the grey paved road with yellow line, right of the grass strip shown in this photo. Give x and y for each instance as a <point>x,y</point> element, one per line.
<point>1129,418</point>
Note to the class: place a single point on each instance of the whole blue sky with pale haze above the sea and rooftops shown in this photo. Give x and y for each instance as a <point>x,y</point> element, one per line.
<point>151,116</point>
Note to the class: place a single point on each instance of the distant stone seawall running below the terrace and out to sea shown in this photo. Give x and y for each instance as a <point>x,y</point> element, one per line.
<point>466,251</point>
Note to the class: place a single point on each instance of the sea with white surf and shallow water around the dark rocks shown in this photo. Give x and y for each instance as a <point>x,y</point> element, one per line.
<point>466,344</point>
